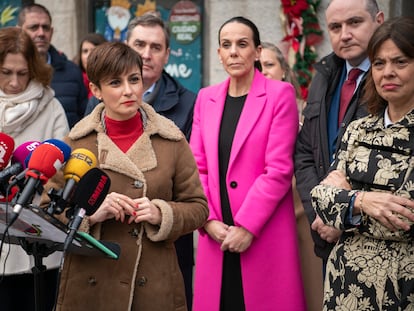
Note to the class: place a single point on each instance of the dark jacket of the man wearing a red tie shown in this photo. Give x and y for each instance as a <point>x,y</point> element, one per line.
<point>312,159</point>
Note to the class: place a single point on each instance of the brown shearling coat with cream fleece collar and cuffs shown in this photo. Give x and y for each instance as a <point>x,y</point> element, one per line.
<point>146,277</point>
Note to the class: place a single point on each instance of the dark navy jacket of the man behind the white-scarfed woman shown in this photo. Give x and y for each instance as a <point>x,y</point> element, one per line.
<point>67,82</point>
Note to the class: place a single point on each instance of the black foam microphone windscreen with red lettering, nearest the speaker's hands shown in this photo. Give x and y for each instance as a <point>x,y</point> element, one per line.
<point>92,190</point>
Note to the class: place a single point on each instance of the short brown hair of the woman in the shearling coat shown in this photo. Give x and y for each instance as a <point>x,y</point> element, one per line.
<point>111,59</point>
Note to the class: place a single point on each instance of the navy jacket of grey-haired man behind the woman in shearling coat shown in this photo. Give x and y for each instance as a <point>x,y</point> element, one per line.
<point>170,99</point>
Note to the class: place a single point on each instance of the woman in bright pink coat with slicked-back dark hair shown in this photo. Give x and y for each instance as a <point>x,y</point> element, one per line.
<point>243,137</point>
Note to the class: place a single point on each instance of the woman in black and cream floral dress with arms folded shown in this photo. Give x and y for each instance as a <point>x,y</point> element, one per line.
<point>369,191</point>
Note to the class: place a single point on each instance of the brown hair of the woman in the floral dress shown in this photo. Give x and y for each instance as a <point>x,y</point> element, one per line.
<point>400,30</point>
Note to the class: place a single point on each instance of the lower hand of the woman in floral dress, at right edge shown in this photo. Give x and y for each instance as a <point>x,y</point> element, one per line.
<point>387,209</point>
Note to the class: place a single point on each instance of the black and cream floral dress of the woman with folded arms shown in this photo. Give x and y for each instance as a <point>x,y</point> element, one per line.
<point>371,267</point>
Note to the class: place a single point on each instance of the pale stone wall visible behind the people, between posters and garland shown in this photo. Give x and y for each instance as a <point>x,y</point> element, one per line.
<point>70,24</point>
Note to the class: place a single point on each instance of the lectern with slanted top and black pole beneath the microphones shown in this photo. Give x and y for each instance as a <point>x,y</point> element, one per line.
<point>40,234</point>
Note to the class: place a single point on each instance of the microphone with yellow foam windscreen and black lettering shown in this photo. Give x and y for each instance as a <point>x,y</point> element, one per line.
<point>81,161</point>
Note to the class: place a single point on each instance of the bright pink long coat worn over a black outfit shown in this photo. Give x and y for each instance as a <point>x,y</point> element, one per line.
<point>261,164</point>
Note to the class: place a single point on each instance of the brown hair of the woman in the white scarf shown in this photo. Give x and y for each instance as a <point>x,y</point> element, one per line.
<point>16,40</point>
